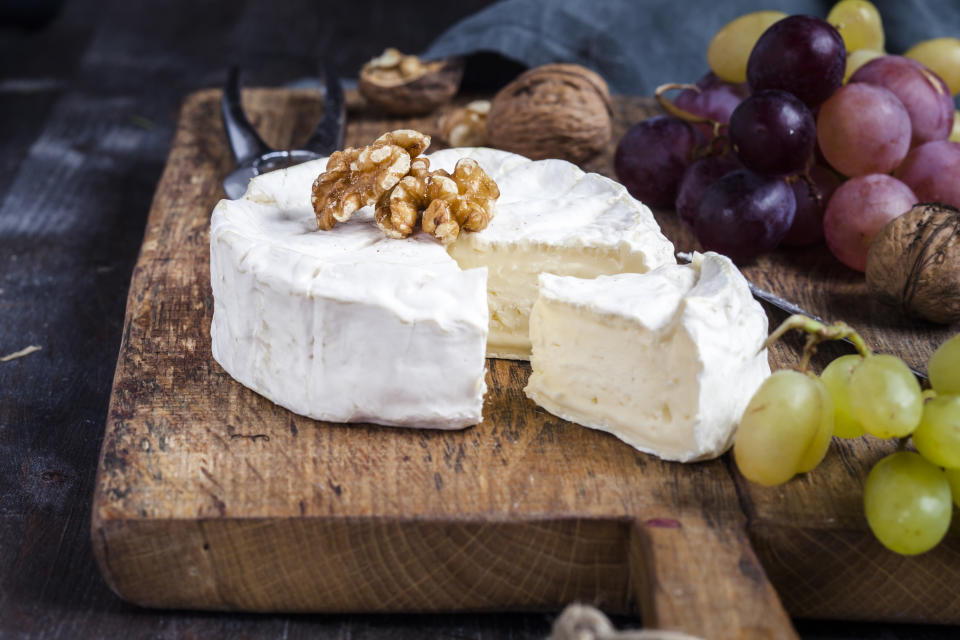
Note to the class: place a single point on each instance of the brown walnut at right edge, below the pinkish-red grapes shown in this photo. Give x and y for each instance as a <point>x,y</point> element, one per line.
<point>914,262</point>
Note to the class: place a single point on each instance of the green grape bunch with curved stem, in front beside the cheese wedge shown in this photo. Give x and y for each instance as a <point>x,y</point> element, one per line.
<point>786,429</point>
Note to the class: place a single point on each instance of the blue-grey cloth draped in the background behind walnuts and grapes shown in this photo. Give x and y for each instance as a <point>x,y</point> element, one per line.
<point>639,44</point>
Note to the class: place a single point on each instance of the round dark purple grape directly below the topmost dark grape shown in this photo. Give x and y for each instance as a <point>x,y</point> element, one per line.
<point>773,133</point>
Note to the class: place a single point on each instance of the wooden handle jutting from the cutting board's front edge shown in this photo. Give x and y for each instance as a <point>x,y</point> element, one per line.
<point>702,577</point>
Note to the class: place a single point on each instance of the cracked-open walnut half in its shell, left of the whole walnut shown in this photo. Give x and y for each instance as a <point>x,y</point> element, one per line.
<point>405,85</point>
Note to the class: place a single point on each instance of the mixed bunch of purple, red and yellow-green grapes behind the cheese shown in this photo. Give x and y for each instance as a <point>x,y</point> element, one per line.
<point>788,140</point>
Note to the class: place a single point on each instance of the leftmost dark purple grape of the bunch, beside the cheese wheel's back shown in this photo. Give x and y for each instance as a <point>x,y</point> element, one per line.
<point>652,156</point>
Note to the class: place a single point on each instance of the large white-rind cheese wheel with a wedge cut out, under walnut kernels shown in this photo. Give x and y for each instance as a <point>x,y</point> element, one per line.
<point>348,325</point>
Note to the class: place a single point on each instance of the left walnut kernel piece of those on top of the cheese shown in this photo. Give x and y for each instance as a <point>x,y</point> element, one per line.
<point>356,178</point>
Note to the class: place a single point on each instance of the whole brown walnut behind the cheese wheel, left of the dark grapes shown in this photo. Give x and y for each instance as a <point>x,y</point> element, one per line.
<point>553,111</point>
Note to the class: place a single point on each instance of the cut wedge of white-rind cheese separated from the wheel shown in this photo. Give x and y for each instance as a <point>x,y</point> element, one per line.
<point>666,360</point>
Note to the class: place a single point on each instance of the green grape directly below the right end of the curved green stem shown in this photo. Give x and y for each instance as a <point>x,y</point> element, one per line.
<point>885,397</point>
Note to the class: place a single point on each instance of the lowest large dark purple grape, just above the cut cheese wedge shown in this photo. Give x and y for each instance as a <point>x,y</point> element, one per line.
<point>744,214</point>
